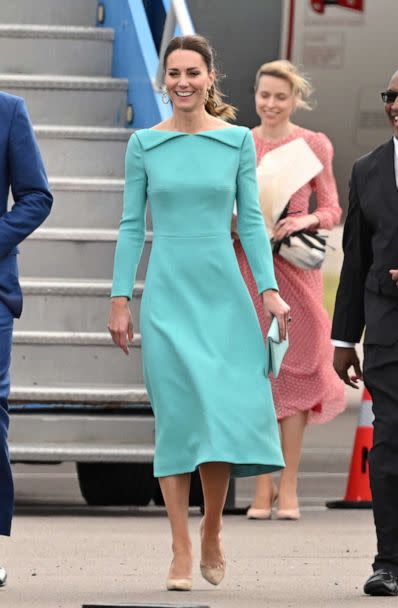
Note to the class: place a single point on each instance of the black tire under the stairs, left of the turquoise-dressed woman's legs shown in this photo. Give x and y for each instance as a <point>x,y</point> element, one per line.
<point>116,483</point>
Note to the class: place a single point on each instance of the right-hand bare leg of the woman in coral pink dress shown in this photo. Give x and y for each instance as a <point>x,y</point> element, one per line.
<point>292,432</point>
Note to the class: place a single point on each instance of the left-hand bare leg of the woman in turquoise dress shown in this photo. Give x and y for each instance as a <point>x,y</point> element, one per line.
<point>175,490</point>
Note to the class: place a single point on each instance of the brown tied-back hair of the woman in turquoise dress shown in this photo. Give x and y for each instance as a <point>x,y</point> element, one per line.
<point>214,104</point>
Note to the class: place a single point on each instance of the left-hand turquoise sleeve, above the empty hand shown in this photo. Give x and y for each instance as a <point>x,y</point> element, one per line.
<point>132,225</point>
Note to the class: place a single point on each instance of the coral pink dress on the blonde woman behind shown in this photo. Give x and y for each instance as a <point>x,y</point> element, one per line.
<point>307,380</point>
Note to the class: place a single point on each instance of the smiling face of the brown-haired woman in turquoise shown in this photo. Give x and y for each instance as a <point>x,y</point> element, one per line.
<point>187,80</point>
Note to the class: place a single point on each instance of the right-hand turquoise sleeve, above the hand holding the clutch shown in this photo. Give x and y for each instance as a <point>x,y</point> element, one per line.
<point>251,226</point>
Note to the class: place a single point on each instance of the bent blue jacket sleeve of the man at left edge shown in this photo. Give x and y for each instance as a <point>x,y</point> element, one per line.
<point>29,186</point>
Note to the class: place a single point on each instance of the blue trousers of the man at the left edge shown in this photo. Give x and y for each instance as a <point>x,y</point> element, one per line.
<point>6,483</point>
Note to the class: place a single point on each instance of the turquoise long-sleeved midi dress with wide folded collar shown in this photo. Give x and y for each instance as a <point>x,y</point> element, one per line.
<point>204,358</point>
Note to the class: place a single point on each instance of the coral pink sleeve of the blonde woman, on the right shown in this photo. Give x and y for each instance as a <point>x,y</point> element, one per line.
<point>327,209</point>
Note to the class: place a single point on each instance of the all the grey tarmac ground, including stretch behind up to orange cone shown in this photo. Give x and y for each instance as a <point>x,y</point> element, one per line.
<point>64,554</point>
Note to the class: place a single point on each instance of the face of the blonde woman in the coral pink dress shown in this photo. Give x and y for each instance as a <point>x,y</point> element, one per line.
<point>275,101</point>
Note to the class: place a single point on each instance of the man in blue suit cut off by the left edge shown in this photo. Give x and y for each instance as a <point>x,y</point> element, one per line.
<point>21,168</point>
